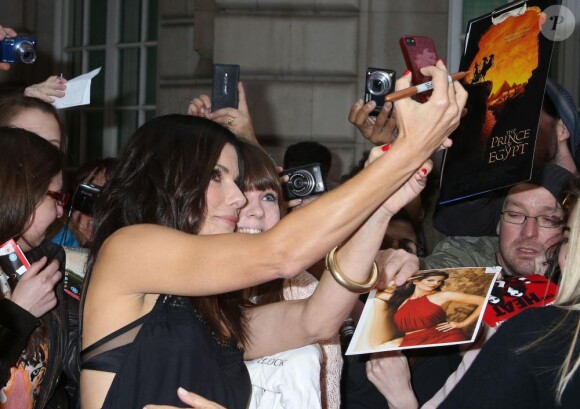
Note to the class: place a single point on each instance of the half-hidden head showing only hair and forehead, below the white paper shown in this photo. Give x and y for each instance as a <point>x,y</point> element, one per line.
<point>34,115</point>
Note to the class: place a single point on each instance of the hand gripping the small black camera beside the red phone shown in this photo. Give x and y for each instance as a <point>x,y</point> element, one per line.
<point>380,129</point>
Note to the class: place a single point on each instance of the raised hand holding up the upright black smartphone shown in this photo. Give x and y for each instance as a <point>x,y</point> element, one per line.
<point>237,120</point>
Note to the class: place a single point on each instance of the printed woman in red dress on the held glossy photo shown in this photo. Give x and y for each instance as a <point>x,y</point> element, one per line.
<point>418,310</point>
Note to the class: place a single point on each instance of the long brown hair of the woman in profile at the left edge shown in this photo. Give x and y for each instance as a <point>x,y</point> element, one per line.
<point>28,164</point>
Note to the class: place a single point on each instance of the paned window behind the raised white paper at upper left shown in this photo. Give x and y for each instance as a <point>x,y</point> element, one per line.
<point>121,38</point>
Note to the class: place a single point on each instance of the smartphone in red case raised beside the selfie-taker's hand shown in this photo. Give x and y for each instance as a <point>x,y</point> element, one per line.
<point>418,52</point>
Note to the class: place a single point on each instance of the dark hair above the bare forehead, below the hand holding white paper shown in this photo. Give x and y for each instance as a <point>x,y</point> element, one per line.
<point>12,105</point>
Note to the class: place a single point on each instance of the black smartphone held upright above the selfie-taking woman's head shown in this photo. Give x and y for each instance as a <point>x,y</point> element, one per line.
<point>225,86</point>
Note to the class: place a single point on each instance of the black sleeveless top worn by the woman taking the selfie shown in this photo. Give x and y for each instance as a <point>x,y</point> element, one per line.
<point>165,349</point>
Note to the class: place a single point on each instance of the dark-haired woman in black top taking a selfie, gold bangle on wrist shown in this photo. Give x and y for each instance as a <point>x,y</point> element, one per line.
<point>162,300</point>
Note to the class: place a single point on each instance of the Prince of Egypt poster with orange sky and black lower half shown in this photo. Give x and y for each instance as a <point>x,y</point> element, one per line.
<point>507,58</point>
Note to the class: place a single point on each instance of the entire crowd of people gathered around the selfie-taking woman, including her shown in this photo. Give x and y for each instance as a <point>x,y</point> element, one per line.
<point>205,286</point>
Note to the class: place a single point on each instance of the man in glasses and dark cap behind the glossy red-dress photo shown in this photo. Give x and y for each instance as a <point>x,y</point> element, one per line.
<point>530,227</point>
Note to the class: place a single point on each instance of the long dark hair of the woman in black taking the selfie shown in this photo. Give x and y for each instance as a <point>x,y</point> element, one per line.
<point>161,178</point>
